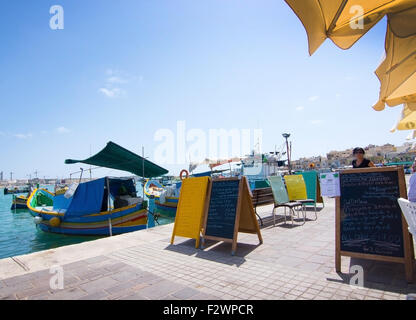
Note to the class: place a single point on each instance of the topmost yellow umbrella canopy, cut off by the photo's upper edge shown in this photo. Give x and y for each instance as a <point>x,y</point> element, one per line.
<point>344,21</point>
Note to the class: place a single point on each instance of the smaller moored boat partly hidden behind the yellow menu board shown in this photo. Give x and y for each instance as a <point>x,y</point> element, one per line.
<point>166,198</point>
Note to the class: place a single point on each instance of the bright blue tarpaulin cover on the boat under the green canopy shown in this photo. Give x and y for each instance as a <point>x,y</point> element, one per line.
<point>88,198</point>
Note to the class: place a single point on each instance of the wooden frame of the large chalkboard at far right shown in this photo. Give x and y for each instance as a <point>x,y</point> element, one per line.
<point>408,247</point>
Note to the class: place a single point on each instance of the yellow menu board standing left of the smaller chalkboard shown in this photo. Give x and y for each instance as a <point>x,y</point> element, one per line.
<point>191,208</point>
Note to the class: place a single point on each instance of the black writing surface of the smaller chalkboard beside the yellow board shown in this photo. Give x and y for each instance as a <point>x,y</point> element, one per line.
<point>222,209</point>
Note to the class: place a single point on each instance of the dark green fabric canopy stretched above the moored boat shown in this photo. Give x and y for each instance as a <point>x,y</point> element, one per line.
<point>116,157</point>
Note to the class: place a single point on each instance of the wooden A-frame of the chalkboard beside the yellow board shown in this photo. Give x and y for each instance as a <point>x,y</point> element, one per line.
<point>243,193</point>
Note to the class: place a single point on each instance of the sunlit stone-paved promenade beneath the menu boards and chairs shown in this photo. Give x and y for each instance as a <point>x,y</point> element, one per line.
<point>293,263</point>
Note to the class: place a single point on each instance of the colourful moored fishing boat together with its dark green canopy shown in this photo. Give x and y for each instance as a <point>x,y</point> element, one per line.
<point>105,206</point>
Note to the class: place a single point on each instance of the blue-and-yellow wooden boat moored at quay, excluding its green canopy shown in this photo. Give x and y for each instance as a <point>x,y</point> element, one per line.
<point>105,206</point>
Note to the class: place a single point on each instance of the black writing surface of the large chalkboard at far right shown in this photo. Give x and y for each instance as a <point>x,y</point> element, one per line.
<point>371,219</point>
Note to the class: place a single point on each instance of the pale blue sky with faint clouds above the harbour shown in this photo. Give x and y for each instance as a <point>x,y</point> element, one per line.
<point>121,70</point>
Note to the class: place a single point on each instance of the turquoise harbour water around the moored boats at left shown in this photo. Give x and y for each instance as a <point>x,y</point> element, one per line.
<point>19,234</point>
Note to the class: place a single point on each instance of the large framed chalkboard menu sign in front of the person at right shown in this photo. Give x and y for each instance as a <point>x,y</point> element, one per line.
<point>369,223</point>
